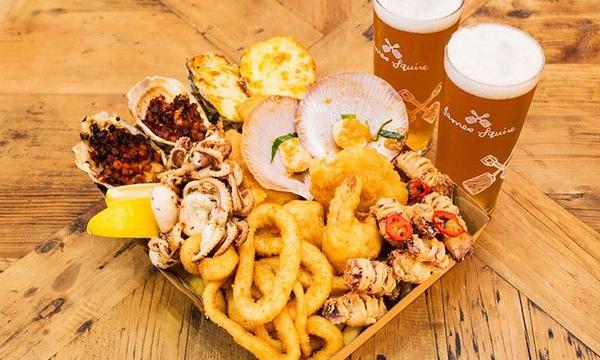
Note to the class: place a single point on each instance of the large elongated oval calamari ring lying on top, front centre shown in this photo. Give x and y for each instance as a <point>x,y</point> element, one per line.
<point>272,303</point>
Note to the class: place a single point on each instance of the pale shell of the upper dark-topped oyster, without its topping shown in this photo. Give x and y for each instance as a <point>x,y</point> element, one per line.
<point>140,95</point>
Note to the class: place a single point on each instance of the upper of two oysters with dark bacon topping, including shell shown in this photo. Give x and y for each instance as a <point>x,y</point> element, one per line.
<point>165,110</point>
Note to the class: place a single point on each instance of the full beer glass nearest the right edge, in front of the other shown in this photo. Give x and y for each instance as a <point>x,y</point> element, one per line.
<point>492,71</point>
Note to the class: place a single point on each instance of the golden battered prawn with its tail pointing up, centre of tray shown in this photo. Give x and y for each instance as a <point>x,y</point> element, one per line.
<point>345,236</point>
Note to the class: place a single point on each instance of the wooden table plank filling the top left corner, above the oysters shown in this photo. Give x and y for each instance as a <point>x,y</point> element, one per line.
<point>107,50</point>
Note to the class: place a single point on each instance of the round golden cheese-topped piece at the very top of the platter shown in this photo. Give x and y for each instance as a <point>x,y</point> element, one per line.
<point>278,66</point>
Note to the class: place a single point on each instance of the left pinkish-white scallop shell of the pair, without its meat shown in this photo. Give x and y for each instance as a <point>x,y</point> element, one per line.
<point>271,119</point>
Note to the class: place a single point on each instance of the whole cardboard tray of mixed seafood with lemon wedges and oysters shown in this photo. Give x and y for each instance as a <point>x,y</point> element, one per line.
<point>286,207</point>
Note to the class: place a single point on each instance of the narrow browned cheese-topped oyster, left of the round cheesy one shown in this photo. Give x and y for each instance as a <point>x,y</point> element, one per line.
<point>218,82</point>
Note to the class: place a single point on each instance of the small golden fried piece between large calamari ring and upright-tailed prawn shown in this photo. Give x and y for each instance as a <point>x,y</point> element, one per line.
<point>310,218</point>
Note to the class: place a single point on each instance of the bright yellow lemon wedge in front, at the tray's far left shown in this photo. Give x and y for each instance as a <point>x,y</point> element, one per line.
<point>131,218</point>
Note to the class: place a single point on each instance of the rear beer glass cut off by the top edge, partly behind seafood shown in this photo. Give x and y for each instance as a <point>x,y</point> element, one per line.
<point>409,38</point>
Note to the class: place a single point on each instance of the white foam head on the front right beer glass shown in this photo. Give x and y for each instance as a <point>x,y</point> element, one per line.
<point>493,61</point>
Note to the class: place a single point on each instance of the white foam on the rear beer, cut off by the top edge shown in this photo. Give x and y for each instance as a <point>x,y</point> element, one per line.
<point>419,16</point>
